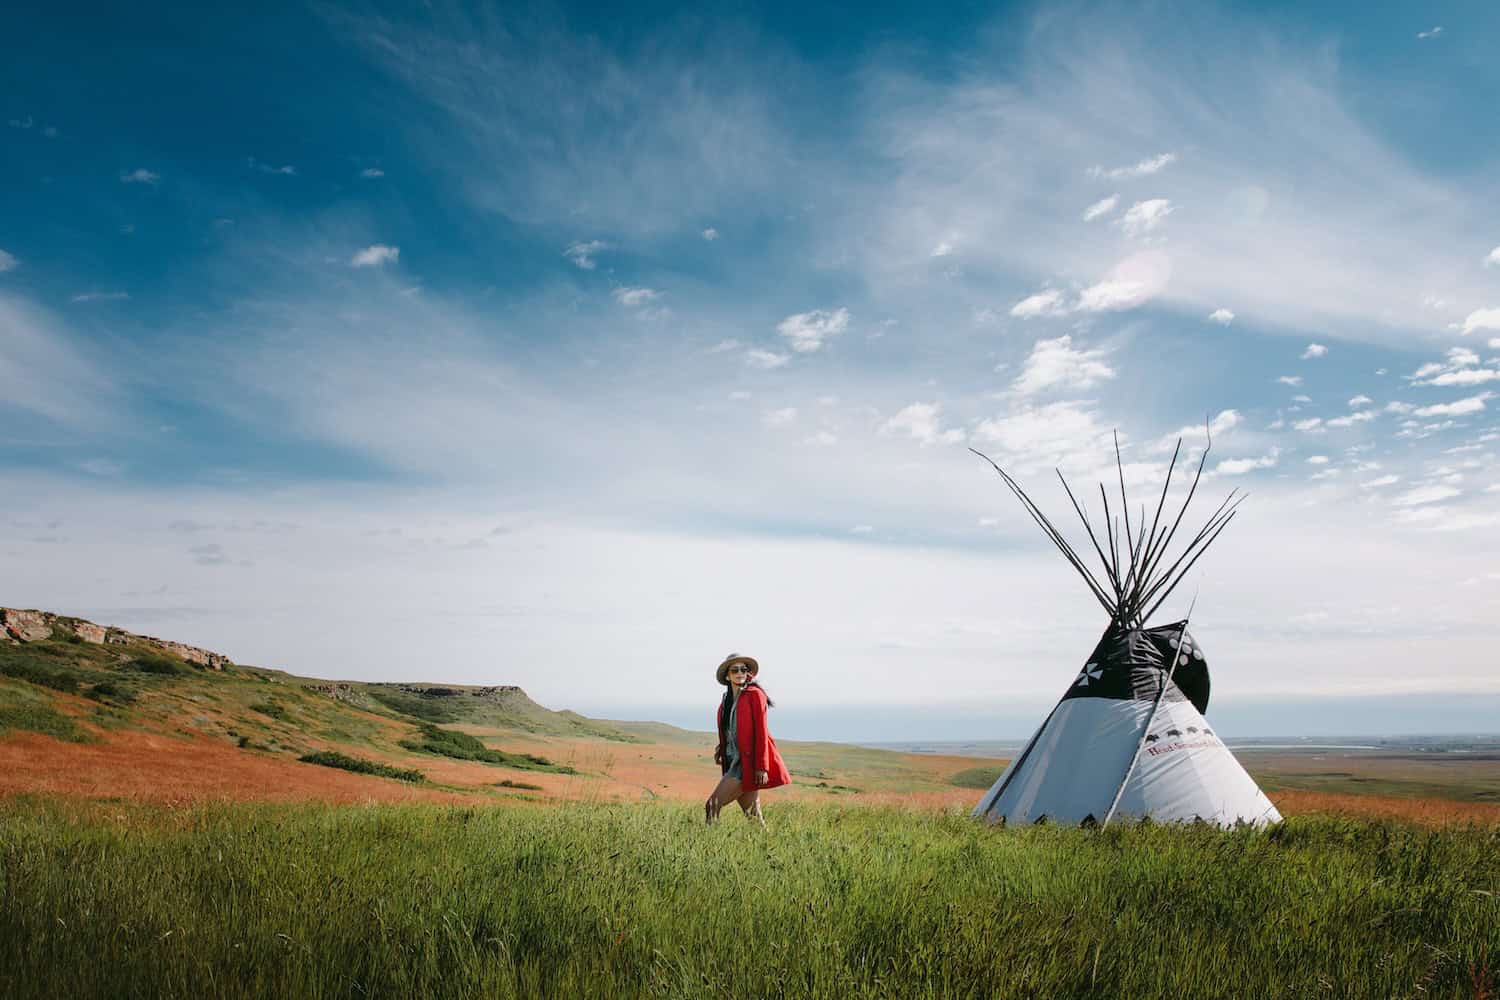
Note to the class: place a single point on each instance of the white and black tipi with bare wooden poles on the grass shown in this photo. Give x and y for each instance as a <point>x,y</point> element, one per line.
<point>1129,738</point>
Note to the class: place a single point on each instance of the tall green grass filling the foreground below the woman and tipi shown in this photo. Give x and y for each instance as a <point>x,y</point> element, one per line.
<point>623,902</point>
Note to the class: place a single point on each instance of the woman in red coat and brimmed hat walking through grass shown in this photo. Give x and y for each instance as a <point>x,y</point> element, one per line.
<point>746,752</point>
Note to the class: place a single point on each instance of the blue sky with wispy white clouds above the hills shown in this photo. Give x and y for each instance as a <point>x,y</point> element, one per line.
<point>578,349</point>
